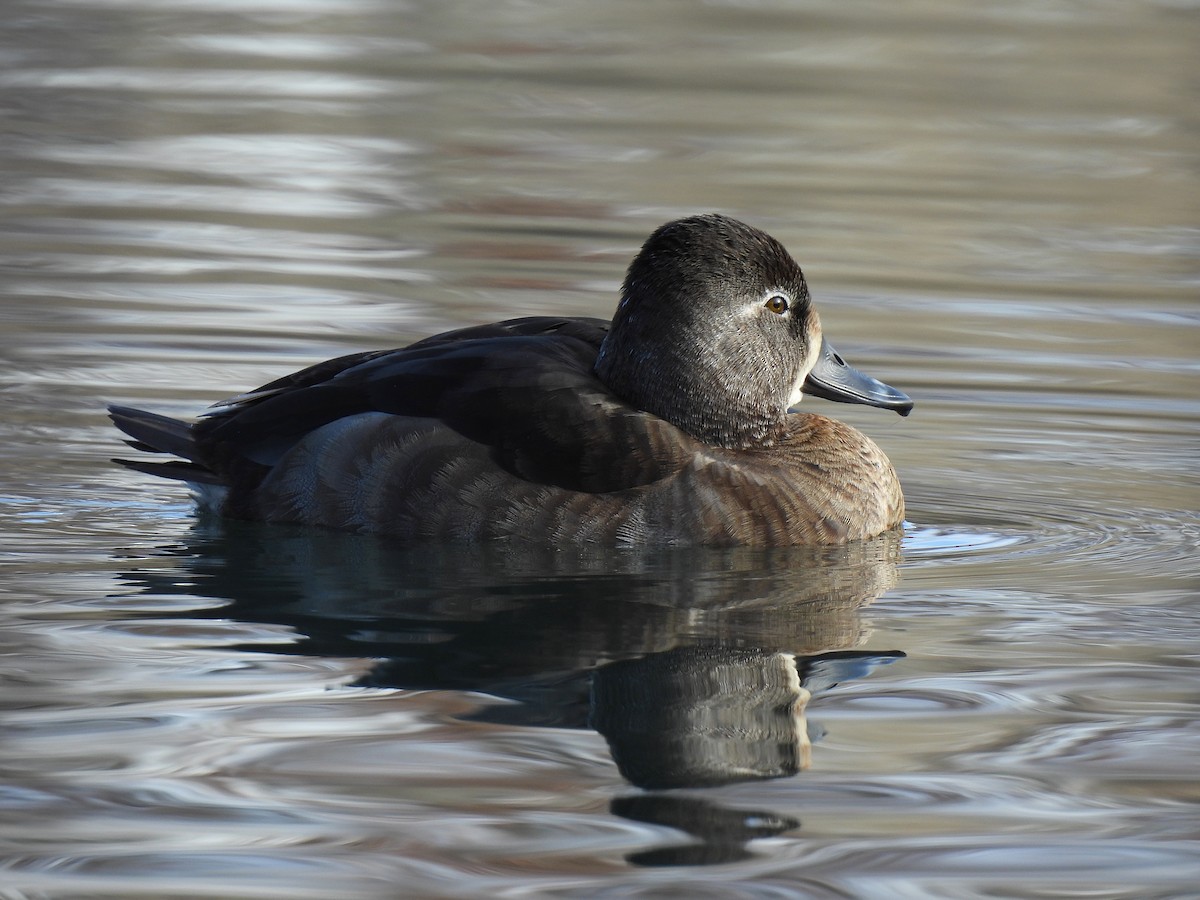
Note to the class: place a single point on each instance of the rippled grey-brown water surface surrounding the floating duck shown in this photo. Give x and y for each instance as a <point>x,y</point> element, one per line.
<point>997,209</point>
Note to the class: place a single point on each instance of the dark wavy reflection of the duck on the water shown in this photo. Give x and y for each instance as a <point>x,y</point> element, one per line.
<point>697,665</point>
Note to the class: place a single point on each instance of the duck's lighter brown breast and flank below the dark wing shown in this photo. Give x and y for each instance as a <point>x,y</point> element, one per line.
<point>418,479</point>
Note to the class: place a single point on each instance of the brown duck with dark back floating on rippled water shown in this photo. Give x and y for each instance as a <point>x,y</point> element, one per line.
<point>675,424</point>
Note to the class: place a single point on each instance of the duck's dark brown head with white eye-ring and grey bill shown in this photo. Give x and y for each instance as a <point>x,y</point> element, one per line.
<point>716,333</point>
